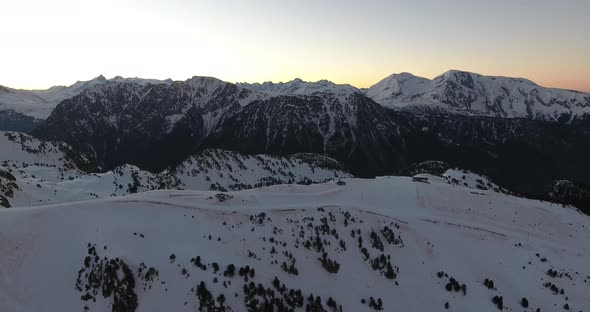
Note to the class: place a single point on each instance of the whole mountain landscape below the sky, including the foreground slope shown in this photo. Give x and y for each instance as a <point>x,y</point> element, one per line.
<point>143,195</point>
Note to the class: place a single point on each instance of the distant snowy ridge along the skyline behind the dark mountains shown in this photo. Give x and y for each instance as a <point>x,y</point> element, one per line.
<point>455,92</point>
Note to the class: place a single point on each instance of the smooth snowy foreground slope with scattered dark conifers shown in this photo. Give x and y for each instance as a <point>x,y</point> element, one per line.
<point>151,251</point>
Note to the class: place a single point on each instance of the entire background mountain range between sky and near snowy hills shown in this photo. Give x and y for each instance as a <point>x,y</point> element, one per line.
<point>522,135</point>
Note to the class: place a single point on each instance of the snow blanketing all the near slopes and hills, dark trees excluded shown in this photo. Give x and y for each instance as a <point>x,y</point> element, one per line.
<point>460,223</point>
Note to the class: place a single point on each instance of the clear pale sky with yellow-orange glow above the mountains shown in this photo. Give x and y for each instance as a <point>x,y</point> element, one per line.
<point>57,42</point>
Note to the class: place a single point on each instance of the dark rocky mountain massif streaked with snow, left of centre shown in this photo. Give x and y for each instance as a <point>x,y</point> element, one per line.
<point>153,126</point>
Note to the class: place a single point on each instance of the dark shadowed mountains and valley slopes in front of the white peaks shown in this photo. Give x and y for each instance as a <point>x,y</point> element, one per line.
<point>154,126</point>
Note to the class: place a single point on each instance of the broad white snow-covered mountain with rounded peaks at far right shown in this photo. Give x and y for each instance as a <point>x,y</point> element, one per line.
<point>473,94</point>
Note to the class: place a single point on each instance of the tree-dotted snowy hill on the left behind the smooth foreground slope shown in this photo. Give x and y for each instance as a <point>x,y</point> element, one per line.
<point>34,172</point>
